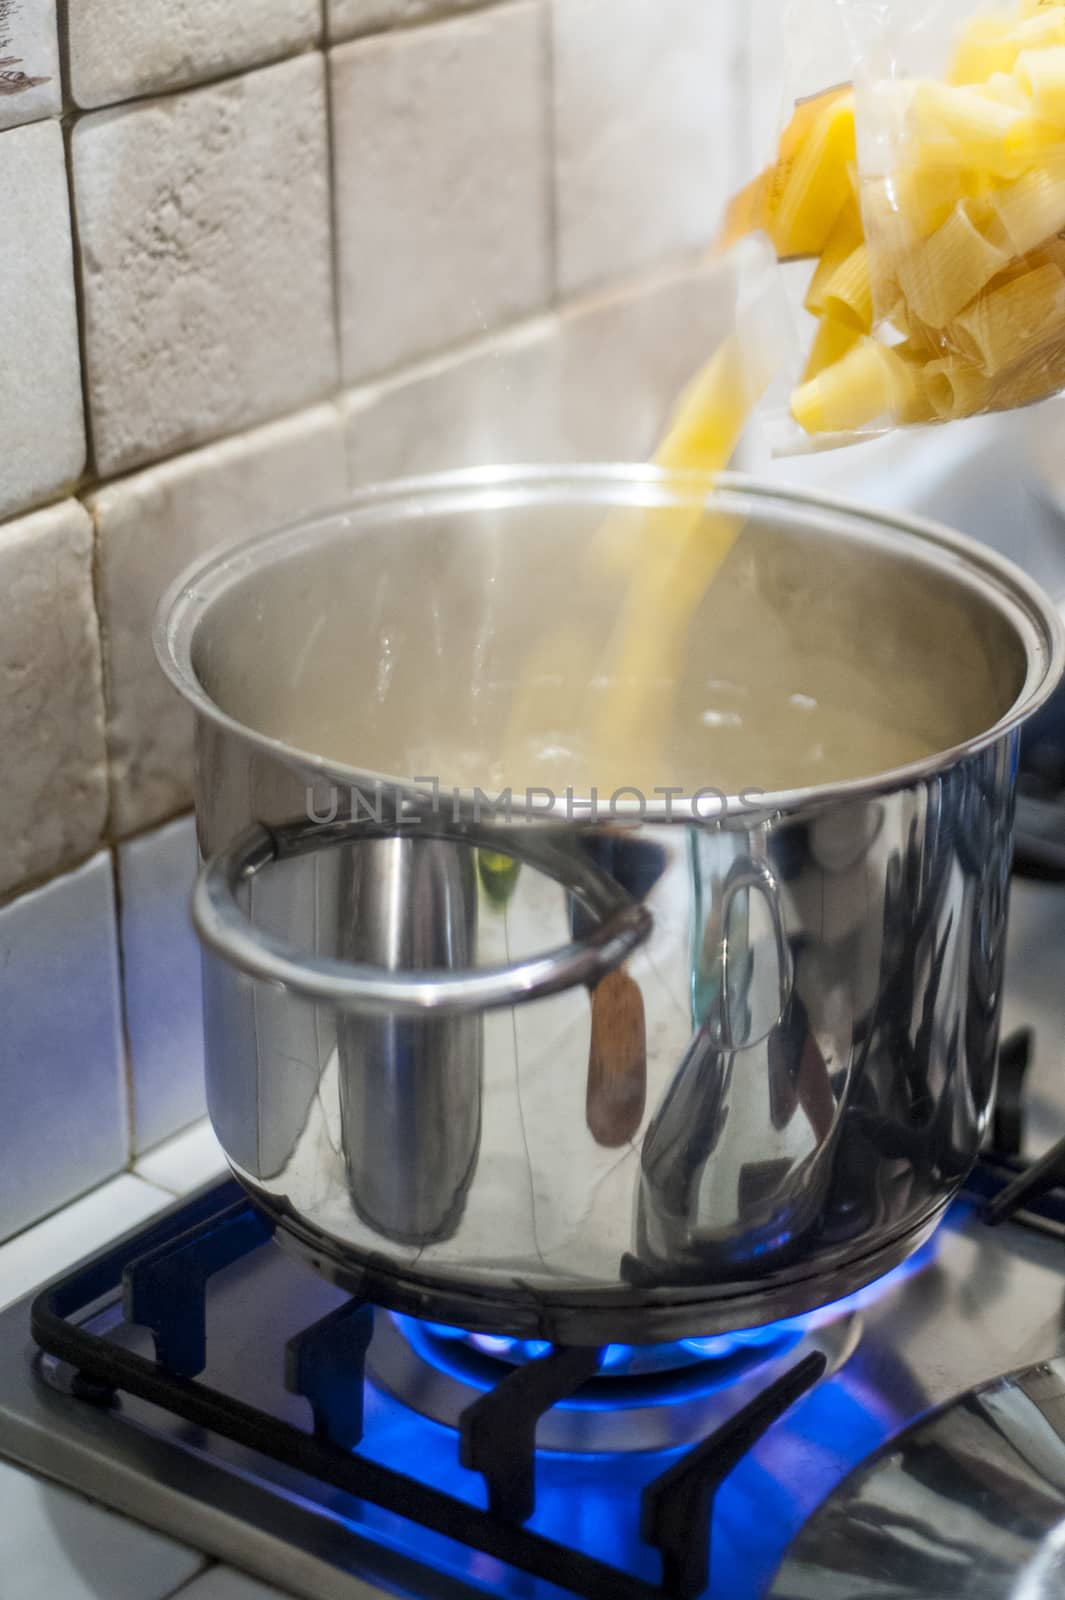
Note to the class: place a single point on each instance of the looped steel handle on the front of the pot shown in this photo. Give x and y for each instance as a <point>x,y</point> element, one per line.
<point>228,932</point>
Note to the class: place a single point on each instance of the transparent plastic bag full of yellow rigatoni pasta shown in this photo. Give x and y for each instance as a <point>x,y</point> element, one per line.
<point>923,199</point>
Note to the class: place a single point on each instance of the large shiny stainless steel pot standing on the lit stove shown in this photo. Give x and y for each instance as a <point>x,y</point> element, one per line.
<point>399,1054</point>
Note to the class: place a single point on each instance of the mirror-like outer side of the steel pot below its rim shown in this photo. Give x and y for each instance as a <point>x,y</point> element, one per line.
<point>821,998</point>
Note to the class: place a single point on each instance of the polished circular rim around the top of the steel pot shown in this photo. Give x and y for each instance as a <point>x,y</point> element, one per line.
<point>1003,585</point>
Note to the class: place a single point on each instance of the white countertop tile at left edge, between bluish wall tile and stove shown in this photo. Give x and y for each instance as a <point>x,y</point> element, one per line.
<point>74,1233</point>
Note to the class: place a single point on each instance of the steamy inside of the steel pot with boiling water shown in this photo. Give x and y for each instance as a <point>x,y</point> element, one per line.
<point>813,658</point>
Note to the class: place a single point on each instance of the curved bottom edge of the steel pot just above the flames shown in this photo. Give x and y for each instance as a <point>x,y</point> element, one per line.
<point>597,1318</point>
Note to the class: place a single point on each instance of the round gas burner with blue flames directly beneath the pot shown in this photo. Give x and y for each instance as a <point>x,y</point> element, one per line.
<point>642,1398</point>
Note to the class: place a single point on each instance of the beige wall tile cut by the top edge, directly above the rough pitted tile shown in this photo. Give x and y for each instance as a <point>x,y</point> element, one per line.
<point>140,47</point>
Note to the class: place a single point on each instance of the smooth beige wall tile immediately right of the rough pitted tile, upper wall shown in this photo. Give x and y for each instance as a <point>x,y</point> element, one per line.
<point>442,186</point>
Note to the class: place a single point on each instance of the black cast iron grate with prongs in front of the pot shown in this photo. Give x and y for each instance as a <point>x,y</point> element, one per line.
<point>164,1276</point>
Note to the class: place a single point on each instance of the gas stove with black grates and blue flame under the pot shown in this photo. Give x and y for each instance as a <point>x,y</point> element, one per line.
<point>201,1378</point>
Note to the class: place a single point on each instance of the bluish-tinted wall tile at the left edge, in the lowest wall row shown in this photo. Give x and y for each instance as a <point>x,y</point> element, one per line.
<point>63,1100</point>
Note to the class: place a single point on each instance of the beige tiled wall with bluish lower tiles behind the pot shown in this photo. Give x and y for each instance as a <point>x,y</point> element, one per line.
<point>253,255</point>
